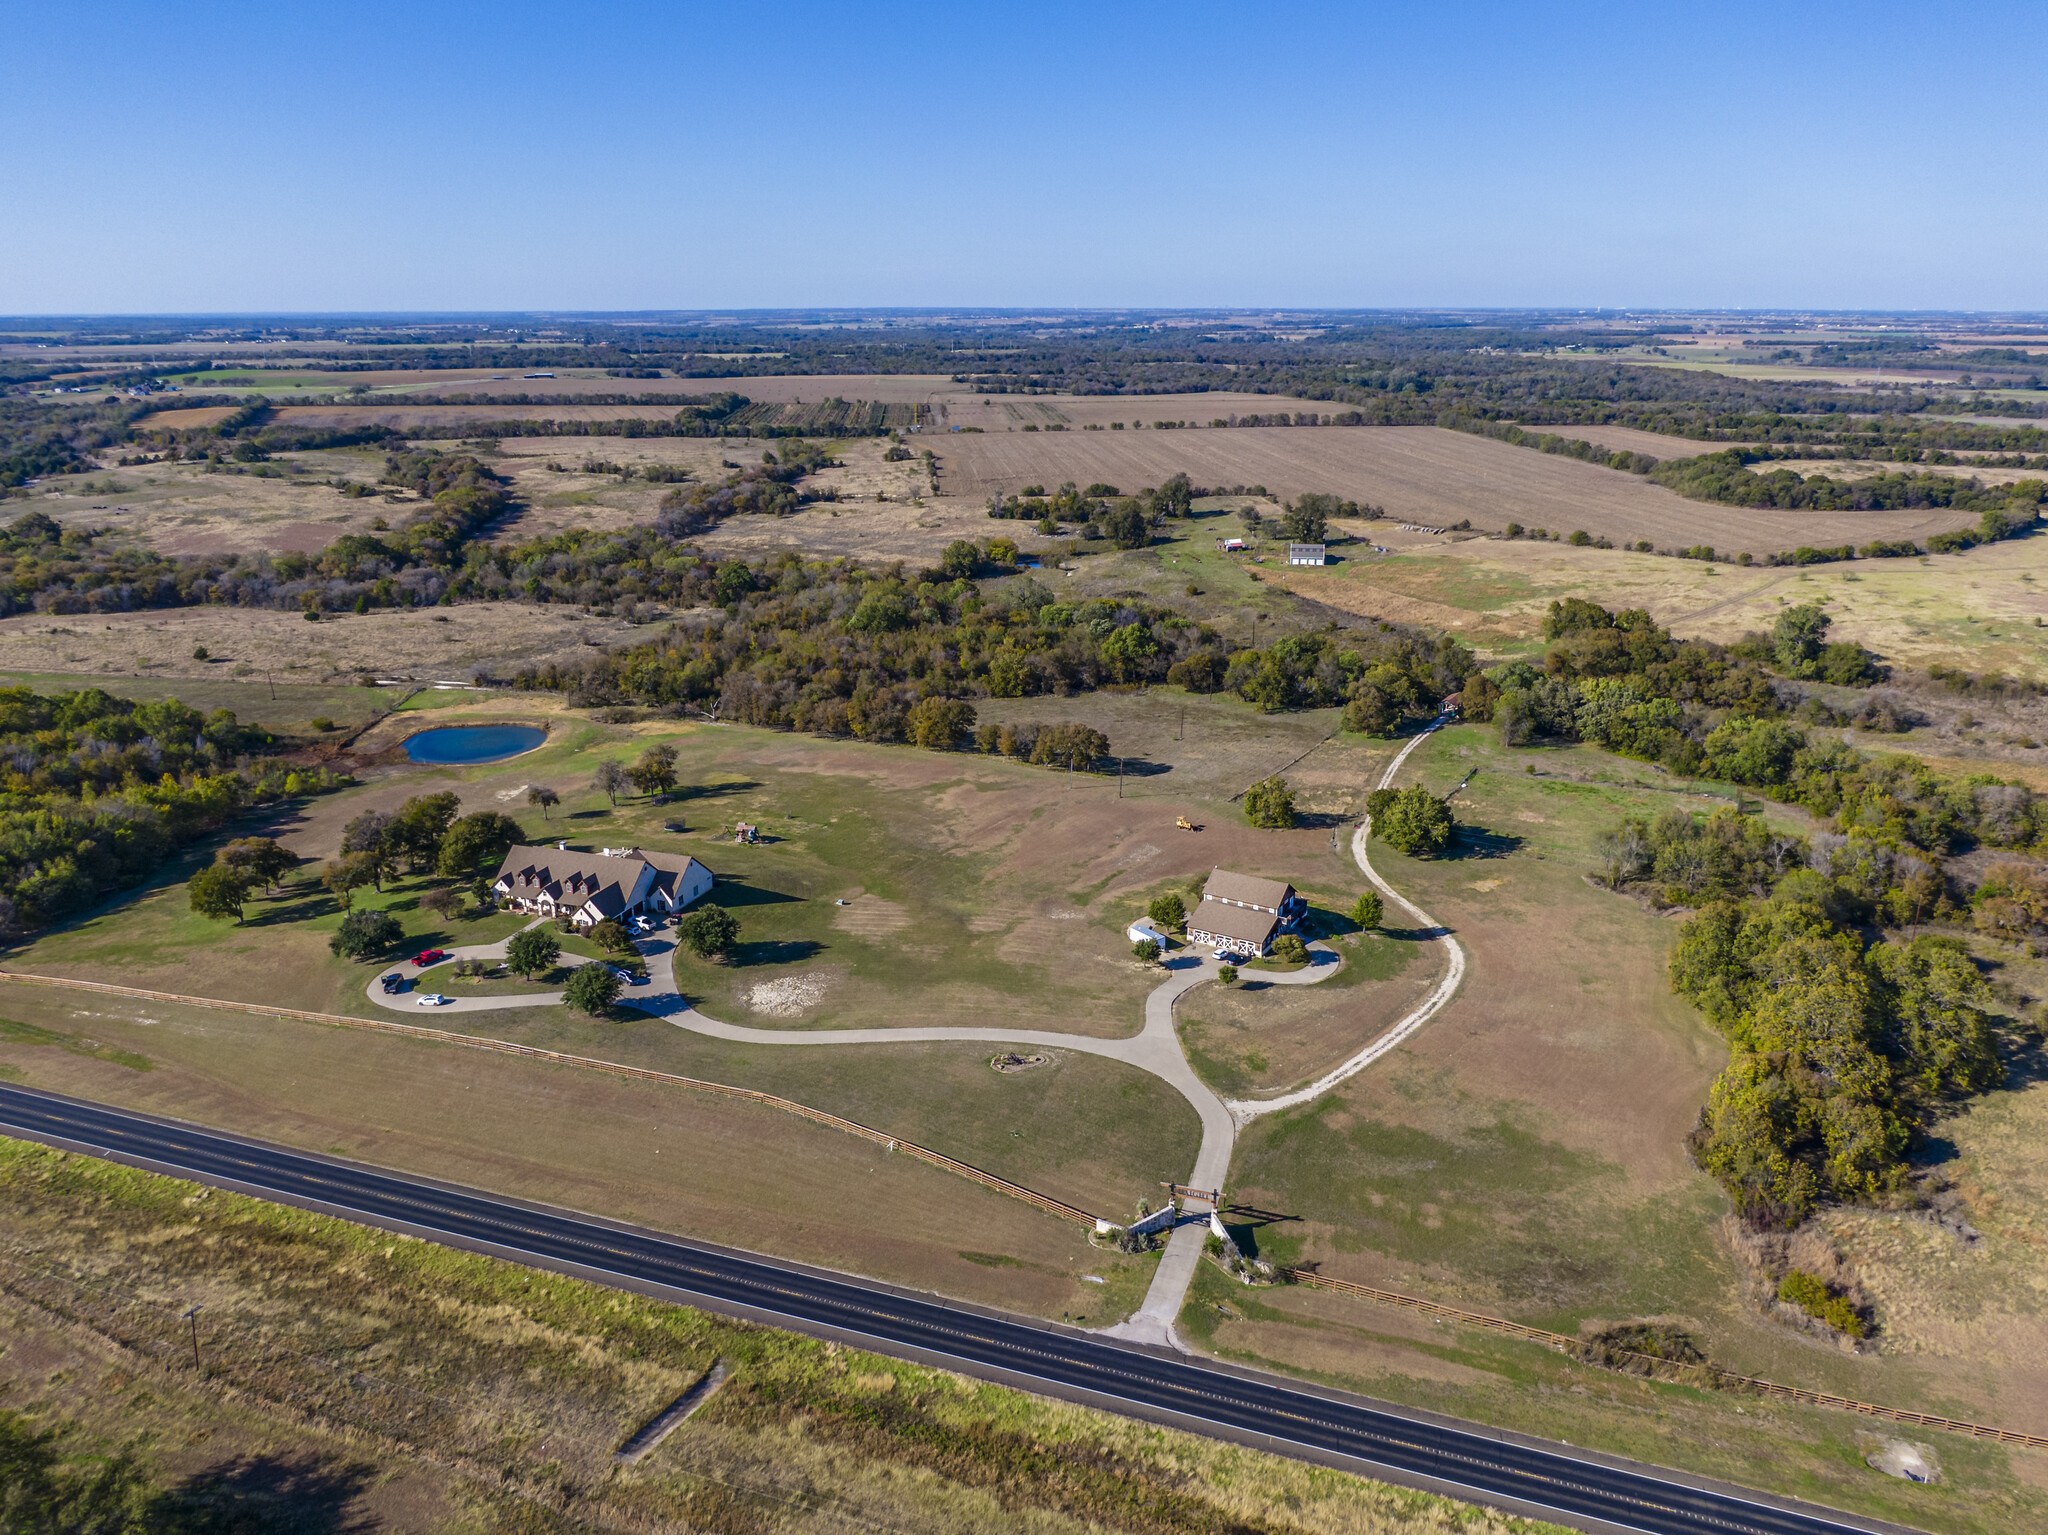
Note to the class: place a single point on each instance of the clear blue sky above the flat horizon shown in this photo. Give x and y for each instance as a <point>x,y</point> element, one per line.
<point>671,157</point>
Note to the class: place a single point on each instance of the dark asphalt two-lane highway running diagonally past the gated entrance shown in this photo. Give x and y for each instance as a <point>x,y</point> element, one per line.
<point>1375,1440</point>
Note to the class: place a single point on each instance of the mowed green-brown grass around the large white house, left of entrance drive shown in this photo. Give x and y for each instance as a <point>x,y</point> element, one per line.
<point>978,893</point>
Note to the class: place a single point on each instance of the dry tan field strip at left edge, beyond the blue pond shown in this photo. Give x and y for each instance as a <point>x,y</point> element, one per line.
<point>425,646</point>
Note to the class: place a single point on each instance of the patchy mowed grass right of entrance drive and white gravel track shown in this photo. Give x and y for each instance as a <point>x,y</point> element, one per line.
<point>1525,1157</point>
